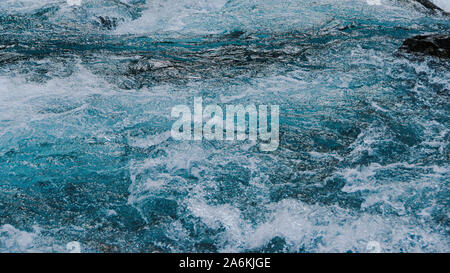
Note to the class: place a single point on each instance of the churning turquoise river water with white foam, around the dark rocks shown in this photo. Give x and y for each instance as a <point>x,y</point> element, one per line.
<point>86,155</point>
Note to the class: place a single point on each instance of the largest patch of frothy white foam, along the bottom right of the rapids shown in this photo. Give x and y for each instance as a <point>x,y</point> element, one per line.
<point>317,228</point>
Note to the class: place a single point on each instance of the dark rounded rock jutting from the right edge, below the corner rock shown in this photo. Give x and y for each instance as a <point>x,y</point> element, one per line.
<point>434,45</point>
